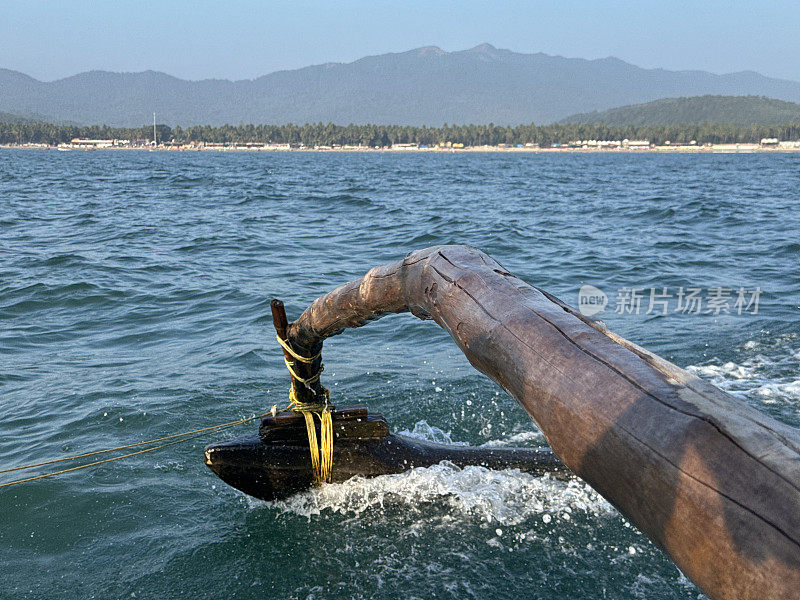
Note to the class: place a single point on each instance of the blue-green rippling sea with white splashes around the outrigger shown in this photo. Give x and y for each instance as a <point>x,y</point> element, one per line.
<point>134,303</point>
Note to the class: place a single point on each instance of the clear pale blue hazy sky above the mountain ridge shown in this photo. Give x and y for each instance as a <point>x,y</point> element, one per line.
<point>241,40</point>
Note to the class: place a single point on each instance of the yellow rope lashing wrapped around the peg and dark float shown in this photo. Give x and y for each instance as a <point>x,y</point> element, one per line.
<point>321,451</point>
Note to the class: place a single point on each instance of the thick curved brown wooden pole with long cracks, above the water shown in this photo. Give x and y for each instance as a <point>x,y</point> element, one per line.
<point>711,480</point>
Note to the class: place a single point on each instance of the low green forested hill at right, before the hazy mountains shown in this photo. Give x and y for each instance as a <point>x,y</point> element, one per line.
<point>735,110</point>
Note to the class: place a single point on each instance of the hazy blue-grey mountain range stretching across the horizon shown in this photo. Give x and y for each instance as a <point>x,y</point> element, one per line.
<point>425,86</point>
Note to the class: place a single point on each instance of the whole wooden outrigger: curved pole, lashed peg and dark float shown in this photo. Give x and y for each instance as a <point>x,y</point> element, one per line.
<point>712,481</point>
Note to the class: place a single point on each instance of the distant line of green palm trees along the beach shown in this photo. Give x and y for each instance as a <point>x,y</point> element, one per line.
<point>321,134</point>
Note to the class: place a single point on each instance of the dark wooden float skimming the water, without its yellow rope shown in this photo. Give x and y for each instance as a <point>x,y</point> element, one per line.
<point>275,463</point>
